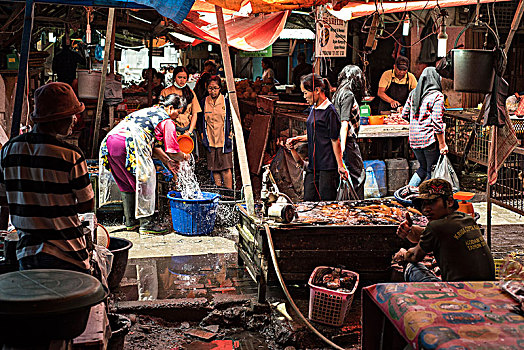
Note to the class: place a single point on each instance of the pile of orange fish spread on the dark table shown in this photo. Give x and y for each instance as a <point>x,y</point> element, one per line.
<point>366,212</point>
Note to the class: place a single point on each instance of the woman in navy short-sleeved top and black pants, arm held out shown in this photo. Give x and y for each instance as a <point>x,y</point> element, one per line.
<point>323,137</point>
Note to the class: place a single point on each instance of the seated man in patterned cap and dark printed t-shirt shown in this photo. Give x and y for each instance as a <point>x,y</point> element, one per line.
<point>453,237</point>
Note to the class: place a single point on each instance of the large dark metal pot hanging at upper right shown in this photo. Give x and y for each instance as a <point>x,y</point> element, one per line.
<point>473,70</point>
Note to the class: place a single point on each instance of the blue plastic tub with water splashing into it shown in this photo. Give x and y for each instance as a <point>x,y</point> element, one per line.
<point>192,217</point>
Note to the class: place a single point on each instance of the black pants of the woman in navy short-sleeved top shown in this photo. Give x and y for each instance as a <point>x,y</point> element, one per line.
<point>321,186</point>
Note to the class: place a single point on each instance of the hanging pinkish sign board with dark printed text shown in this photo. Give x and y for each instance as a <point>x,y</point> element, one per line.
<point>331,35</point>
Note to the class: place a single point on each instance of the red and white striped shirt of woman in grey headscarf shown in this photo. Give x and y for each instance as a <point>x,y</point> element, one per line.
<point>427,121</point>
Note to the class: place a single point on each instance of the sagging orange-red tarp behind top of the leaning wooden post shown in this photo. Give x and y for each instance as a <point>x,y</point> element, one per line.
<point>248,34</point>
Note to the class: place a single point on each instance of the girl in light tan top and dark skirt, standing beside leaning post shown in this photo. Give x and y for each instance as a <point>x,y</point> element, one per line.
<point>217,138</point>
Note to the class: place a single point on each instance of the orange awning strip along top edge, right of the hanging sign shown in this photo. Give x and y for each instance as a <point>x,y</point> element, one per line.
<point>364,8</point>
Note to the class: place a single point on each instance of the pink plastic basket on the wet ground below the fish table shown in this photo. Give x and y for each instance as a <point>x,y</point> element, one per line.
<point>328,306</point>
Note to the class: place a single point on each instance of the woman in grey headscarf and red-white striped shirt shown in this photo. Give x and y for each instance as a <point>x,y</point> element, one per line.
<point>425,108</point>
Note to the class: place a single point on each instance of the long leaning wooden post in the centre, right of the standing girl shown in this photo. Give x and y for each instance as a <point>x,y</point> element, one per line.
<point>237,126</point>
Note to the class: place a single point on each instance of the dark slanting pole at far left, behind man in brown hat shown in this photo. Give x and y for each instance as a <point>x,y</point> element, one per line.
<point>22,68</point>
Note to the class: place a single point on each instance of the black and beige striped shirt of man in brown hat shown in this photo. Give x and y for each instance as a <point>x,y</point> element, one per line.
<point>45,179</point>
